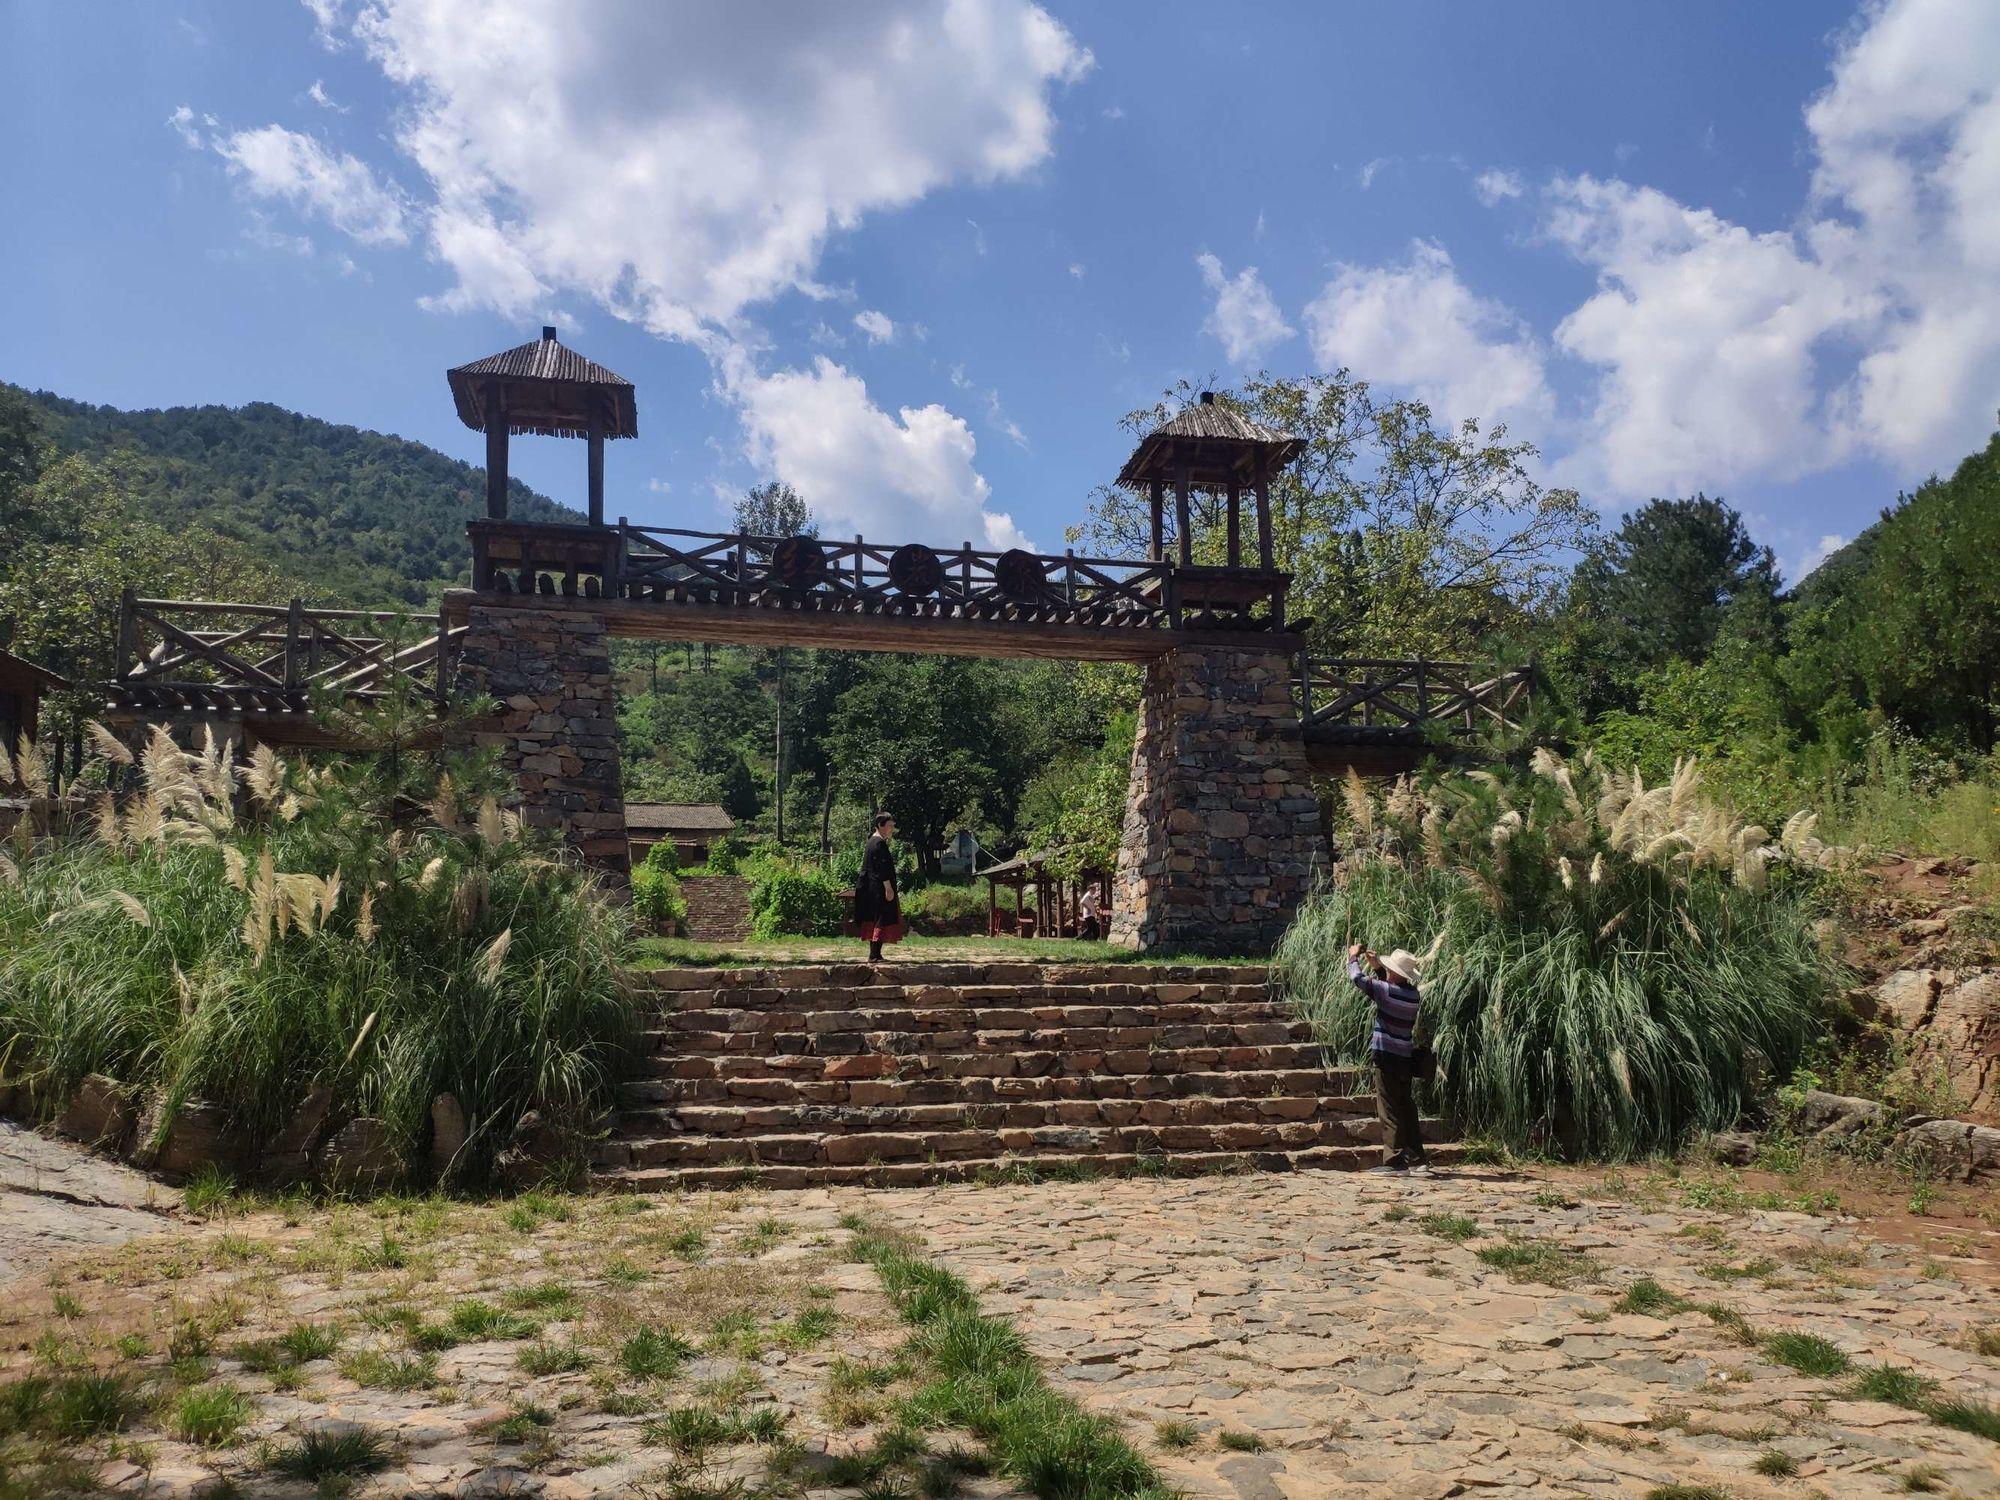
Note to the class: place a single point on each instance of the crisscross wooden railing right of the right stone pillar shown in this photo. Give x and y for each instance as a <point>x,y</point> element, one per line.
<point>1379,695</point>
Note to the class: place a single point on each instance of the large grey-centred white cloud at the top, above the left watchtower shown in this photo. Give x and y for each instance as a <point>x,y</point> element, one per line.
<point>685,163</point>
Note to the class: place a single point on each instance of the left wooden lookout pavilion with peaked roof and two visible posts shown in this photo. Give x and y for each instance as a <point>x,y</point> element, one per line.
<point>551,391</point>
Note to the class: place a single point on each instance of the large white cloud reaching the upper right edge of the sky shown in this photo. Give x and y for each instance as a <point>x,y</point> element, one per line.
<point>1871,327</point>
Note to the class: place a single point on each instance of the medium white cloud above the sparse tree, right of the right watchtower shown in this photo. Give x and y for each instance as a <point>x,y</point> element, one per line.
<point>1421,329</point>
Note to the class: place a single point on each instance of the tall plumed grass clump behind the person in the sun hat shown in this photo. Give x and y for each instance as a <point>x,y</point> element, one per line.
<point>1613,967</point>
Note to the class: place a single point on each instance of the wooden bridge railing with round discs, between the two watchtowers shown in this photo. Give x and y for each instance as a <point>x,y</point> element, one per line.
<point>663,565</point>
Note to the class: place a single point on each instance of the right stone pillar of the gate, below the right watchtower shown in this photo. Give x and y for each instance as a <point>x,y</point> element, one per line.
<point>1223,833</point>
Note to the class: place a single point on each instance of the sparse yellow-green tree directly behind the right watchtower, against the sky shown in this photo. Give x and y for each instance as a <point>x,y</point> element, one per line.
<point>1401,535</point>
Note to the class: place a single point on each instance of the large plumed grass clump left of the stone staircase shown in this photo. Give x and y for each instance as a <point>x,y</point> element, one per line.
<point>247,935</point>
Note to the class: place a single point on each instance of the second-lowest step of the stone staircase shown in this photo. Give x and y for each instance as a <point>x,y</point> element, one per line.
<point>865,1147</point>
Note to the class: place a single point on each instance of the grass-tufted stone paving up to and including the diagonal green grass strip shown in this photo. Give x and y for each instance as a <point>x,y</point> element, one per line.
<point>729,1345</point>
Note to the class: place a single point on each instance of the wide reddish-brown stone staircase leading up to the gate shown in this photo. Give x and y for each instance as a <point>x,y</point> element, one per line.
<point>923,1073</point>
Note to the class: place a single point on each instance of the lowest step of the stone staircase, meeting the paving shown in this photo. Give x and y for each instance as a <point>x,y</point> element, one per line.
<point>1049,1167</point>
